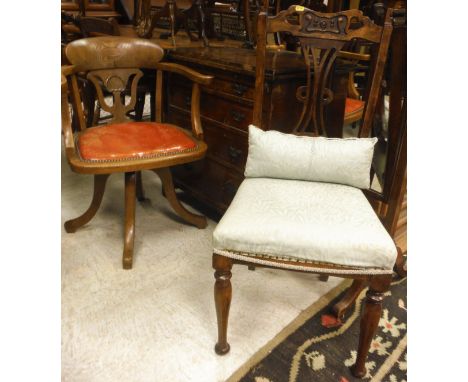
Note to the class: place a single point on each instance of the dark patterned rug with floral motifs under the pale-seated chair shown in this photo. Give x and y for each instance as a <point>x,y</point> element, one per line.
<point>315,347</point>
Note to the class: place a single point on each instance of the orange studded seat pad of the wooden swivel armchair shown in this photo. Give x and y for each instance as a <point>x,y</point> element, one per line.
<point>132,140</point>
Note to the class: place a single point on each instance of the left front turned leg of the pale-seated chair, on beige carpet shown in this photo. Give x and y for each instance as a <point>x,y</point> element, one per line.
<point>223,296</point>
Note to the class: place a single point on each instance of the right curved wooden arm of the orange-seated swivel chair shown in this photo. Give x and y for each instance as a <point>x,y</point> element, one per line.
<point>197,78</point>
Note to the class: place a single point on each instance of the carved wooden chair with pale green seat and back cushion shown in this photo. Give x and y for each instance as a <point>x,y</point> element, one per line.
<point>305,203</point>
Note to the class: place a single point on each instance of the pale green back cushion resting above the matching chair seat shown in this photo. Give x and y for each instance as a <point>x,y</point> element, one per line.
<point>273,154</point>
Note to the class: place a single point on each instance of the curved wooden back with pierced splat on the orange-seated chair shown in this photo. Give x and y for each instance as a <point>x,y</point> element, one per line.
<point>111,64</point>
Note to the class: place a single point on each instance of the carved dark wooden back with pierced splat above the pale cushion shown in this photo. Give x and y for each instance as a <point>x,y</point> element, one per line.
<point>321,37</point>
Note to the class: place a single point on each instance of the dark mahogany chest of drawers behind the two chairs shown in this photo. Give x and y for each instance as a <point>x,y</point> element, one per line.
<point>226,112</point>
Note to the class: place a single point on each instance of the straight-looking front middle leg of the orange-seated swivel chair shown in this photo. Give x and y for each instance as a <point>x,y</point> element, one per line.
<point>129,233</point>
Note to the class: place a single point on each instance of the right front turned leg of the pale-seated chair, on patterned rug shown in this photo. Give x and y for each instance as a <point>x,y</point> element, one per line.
<point>370,320</point>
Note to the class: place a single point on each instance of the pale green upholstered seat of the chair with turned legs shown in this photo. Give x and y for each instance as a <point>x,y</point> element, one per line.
<point>305,221</point>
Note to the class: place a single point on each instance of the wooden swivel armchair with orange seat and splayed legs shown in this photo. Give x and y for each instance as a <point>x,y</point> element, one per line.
<point>125,146</point>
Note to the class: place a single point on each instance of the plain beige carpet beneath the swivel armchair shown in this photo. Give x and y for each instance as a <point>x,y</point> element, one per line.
<point>157,321</point>
